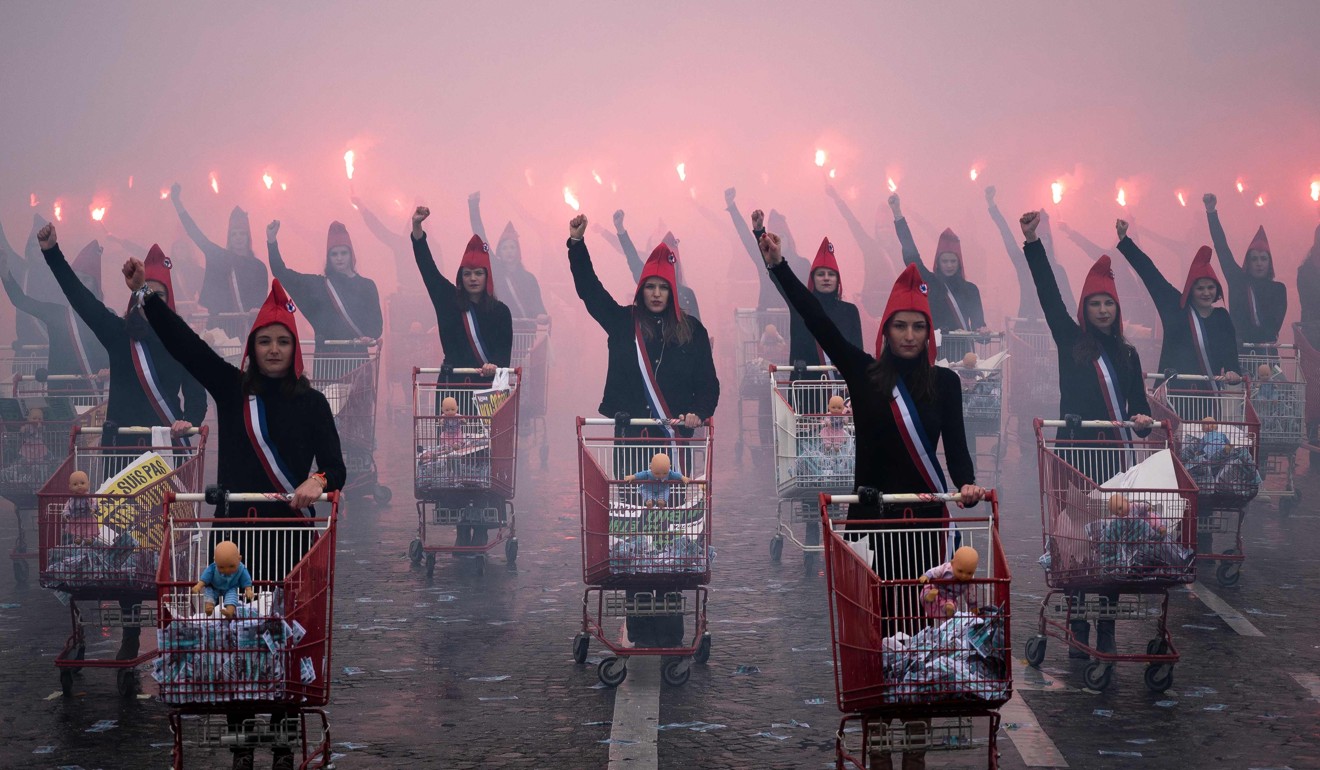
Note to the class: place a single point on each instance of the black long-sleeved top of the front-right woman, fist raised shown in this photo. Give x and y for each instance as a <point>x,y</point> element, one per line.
<point>882,459</point>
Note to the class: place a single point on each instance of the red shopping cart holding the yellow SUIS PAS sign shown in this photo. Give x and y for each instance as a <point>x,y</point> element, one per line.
<point>102,549</point>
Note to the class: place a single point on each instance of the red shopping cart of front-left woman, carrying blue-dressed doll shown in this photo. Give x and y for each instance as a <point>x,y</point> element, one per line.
<point>274,657</point>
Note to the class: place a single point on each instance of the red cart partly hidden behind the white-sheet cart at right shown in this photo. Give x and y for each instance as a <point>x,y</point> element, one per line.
<point>1218,435</point>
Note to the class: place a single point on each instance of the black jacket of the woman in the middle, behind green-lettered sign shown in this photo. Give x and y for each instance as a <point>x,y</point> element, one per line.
<point>686,373</point>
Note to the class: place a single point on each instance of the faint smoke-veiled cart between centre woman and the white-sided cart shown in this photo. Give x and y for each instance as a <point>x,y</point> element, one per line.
<point>757,348</point>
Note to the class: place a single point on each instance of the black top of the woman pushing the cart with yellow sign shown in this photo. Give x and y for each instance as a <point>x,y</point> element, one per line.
<point>129,403</point>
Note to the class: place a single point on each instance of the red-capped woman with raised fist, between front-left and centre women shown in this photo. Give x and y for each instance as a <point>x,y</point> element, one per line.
<point>476,330</point>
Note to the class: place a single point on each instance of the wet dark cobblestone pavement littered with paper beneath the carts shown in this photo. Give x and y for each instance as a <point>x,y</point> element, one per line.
<point>476,672</point>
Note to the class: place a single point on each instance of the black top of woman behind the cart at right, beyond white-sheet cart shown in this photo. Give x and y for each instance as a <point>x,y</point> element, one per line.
<point>1179,349</point>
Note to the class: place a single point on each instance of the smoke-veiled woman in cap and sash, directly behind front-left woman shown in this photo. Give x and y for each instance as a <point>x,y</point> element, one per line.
<point>340,304</point>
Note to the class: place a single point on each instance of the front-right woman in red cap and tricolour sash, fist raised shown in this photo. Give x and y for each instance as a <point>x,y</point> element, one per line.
<point>902,407</point>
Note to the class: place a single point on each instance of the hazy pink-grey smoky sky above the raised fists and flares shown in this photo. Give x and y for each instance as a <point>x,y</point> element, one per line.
<point>519,100</point>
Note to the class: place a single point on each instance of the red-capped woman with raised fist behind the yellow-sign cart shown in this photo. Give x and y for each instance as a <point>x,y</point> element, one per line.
<point>146,381</point>
